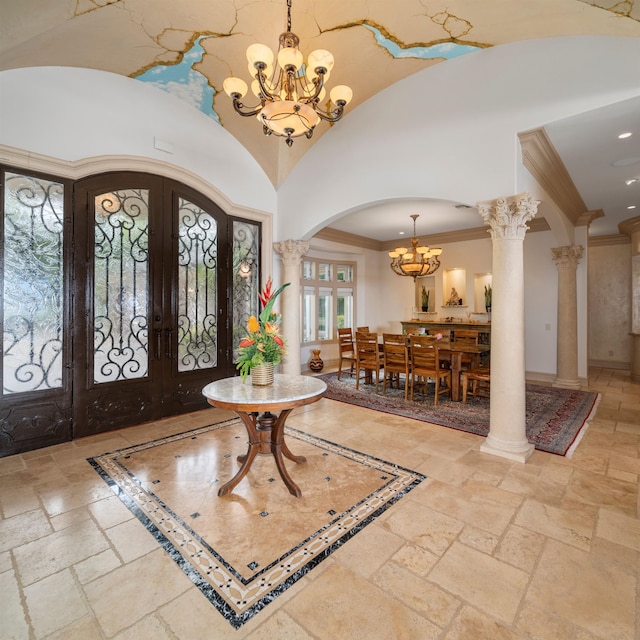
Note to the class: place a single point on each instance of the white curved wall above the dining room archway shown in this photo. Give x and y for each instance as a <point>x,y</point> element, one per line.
<point>450,131</point>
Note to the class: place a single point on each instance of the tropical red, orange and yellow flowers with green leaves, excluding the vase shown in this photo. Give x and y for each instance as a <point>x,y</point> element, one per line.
<point>263,342</point>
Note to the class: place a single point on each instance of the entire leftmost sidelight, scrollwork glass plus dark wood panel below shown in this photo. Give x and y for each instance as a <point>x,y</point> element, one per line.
<point>35,399</point>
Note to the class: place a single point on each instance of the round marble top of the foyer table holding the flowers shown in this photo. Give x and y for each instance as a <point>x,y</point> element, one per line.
<point>285,388</point>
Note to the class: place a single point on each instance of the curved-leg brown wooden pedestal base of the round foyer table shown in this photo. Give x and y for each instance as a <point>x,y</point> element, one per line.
<point>266,435</point>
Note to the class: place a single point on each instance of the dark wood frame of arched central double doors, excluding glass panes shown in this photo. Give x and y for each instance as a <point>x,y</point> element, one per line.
<point>164,391</point>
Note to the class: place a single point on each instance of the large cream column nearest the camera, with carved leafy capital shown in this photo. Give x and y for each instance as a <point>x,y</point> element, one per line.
<point>507,218</point>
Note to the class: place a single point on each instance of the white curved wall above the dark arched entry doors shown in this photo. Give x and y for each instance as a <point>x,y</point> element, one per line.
<point>74,114</point>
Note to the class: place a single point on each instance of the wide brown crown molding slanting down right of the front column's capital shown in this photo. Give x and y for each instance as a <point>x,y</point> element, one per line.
<point>540,157</point>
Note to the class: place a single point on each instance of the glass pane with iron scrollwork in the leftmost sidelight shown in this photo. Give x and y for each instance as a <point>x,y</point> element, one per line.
<point>33,291</point>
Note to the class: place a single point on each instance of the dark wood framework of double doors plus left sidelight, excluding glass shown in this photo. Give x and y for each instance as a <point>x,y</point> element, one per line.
<point>79,407</point>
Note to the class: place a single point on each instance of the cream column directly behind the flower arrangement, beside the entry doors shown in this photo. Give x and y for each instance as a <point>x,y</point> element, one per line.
<point>291,252</point>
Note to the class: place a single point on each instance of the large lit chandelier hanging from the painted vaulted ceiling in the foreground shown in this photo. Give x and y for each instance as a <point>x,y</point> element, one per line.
<point>289,91</point>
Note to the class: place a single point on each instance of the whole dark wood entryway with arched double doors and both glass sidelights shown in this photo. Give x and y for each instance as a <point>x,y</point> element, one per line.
<point>145,284</point>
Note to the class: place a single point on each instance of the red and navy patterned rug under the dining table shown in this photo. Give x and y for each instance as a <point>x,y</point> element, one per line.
<point>555,418</point>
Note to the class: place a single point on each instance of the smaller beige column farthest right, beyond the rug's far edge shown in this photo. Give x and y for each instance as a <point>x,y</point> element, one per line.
<point>566,259</point>
